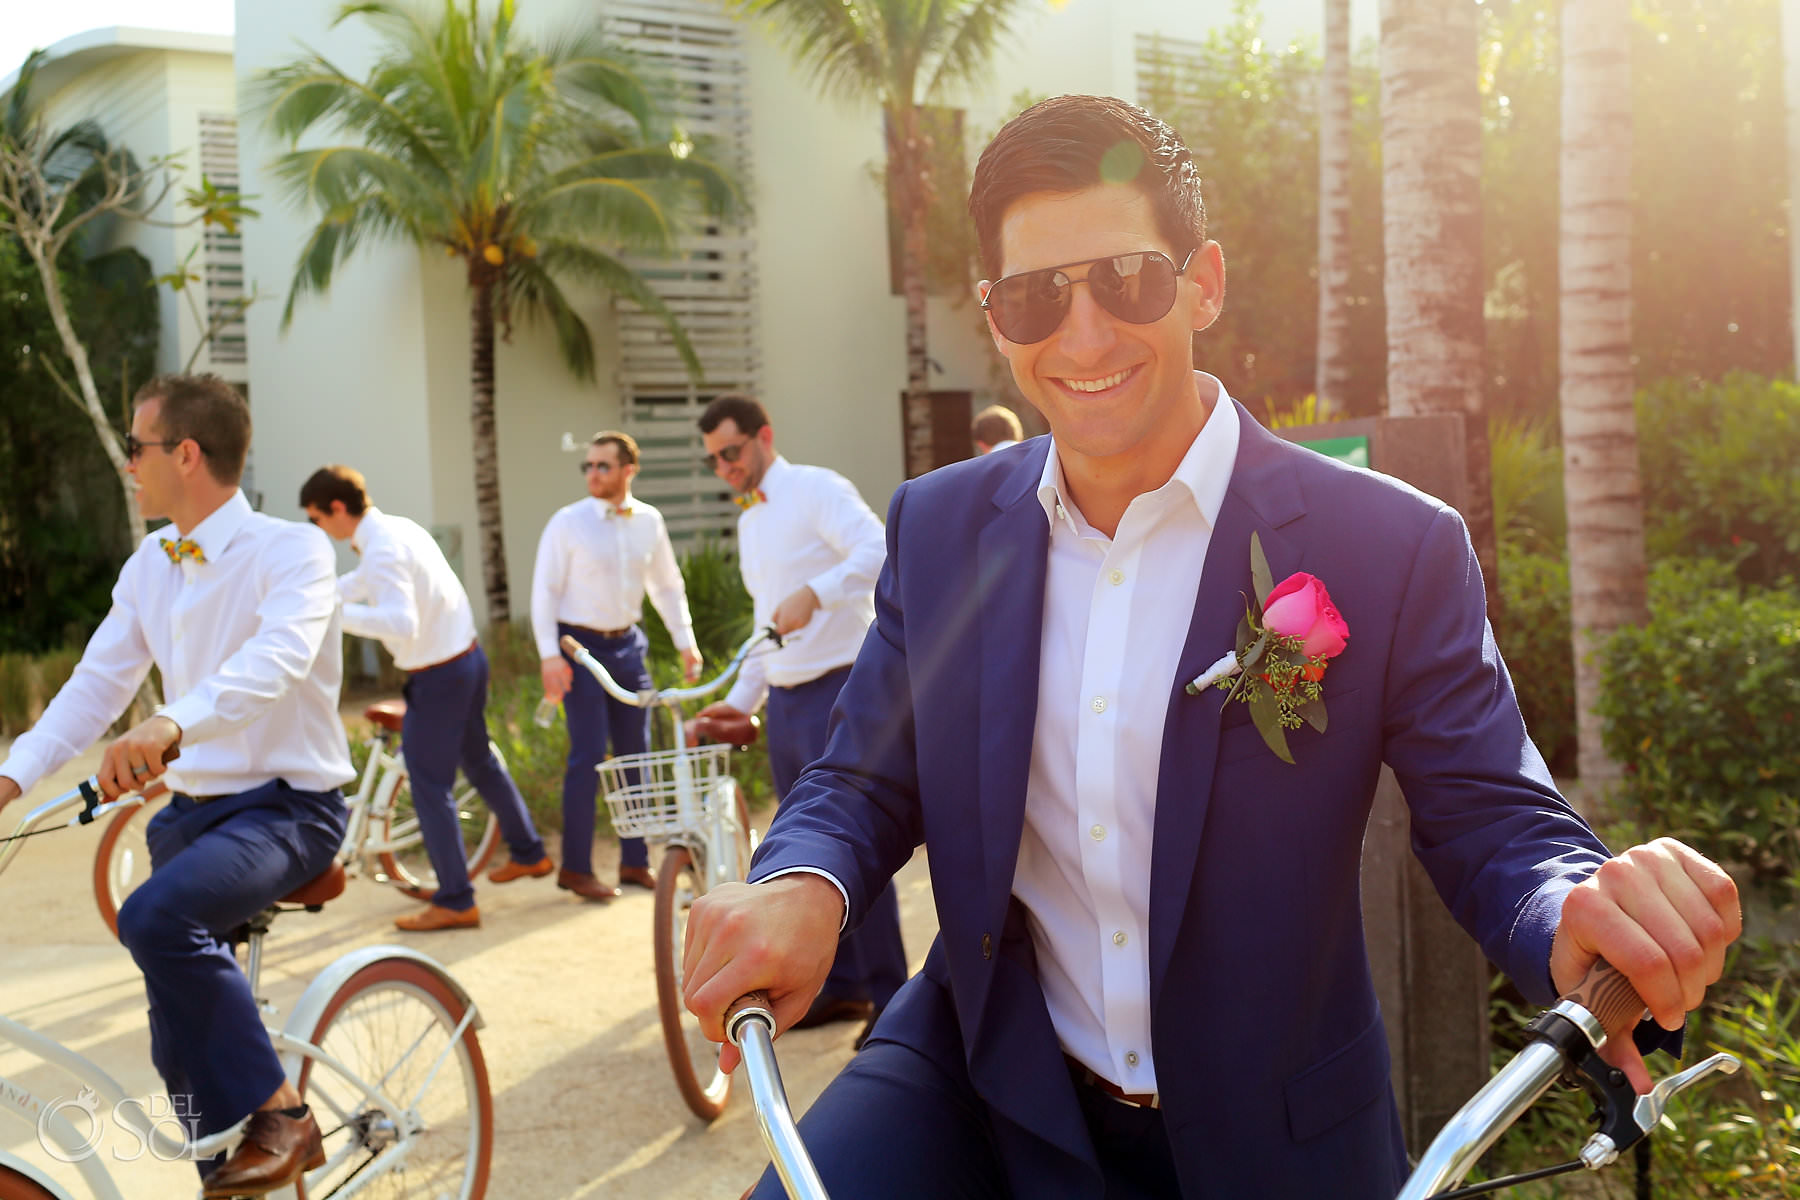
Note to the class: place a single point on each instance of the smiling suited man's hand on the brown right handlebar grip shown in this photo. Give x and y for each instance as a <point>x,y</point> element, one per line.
<point>1664,917</point>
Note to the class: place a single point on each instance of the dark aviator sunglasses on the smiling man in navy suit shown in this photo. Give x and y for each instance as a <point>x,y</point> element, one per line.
<point>1138,289</point>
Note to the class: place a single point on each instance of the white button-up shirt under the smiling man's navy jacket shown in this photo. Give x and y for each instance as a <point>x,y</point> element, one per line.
<point>1117,614</point>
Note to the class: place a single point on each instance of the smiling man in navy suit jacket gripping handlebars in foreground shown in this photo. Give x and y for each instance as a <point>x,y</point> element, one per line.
<point>1151,976</point>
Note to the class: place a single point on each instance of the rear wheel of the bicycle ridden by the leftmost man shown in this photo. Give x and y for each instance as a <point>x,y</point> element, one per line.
<point>391,1026</point>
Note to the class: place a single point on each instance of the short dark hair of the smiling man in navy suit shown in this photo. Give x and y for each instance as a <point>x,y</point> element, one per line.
<point>1072,143</point>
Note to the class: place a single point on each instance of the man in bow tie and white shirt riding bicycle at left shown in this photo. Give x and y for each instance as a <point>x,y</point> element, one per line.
<point>238,611</point>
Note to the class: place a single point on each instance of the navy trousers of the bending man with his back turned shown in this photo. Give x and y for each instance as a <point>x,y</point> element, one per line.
<point>447,728</point>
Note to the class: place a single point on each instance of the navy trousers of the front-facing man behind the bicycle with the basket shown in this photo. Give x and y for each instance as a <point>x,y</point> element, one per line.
<point>597,719</point>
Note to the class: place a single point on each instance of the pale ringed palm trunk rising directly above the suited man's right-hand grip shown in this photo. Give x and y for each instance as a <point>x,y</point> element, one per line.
<point>1599,422</point>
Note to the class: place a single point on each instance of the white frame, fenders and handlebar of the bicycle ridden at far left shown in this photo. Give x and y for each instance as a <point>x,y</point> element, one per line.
<point>291,1044</point>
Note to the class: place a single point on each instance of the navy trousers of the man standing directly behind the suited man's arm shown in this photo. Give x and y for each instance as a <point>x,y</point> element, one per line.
<point>870,962</point>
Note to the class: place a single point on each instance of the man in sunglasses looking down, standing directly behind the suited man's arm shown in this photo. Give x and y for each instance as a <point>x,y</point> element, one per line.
<point>809,550</point>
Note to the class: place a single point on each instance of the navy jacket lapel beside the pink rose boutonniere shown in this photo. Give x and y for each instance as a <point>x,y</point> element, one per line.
<point>1263,497</point>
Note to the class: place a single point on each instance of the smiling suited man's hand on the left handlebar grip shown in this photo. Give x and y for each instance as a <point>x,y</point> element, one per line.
<point>778,936</point>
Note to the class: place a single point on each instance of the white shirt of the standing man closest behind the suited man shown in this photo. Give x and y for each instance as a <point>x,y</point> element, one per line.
<point>809,530</point>
